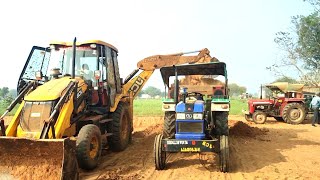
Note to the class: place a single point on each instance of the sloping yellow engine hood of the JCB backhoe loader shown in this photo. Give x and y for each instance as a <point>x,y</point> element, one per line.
<point>49,91</point>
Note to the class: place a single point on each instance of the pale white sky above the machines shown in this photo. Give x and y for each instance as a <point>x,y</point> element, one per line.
<point>239,33</point>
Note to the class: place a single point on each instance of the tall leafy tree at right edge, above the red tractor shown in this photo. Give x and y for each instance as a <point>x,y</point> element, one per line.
<point>302,48</point>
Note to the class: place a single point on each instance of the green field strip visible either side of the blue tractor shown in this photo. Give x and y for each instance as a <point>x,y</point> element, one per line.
<point>152,107</point>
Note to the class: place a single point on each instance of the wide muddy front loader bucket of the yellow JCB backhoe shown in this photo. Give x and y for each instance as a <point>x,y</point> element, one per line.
<point>22,158</point>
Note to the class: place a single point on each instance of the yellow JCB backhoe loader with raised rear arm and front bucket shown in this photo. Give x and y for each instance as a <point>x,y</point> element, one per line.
<point>72,103</point>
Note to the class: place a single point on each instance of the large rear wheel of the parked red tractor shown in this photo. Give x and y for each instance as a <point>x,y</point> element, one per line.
<point>294,113</point>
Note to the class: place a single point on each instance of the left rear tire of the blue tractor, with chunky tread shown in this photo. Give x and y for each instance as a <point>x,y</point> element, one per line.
<point>169,125</point>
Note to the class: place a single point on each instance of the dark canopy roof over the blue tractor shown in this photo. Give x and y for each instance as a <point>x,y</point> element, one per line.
<point>212,68</point>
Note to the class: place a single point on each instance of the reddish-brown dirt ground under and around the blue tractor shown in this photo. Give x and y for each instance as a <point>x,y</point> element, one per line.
<point>275,150</point>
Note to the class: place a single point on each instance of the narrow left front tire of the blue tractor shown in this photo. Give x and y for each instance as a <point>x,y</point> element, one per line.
<point>159,155</point>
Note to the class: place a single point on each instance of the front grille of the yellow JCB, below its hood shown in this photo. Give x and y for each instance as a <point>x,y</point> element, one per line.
<point>33,115</point>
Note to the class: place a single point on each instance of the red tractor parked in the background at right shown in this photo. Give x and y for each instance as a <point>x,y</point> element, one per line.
<point>287,104</point>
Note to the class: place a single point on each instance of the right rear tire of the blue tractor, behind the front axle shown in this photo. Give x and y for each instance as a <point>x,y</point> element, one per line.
<point>221,123</point>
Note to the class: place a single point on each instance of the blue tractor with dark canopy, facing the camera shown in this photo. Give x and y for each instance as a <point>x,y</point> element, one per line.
<point>196,117</point>
